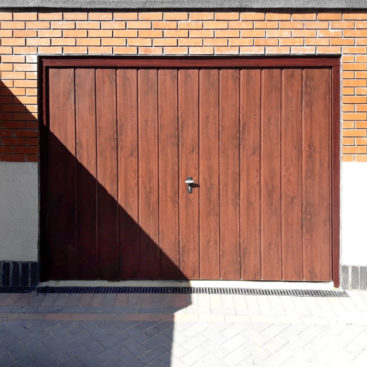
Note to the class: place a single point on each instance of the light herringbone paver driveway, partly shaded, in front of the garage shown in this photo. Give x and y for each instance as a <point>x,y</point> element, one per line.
<point>182,330</point>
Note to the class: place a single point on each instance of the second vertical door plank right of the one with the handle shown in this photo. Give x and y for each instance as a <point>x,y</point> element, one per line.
<point>229,173</point>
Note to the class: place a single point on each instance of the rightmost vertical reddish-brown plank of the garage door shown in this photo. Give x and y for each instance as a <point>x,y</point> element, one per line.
<point>316,174</point>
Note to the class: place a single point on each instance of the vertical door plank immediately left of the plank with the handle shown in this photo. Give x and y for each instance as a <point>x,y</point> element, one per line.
<point>168,173</point>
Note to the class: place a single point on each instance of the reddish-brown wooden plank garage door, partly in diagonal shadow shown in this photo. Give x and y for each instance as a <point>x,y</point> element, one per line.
<point>122,140</point>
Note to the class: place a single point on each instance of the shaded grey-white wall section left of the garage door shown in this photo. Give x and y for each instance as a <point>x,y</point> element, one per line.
<point>19,210</point>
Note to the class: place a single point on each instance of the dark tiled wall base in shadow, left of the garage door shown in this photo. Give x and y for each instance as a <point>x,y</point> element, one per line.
<point>18,274</point>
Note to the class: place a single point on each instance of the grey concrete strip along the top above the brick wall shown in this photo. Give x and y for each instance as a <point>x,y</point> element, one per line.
<point>184,4</point>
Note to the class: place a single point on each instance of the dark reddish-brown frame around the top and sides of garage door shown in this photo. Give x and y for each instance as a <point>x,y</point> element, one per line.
<point>332,62</point>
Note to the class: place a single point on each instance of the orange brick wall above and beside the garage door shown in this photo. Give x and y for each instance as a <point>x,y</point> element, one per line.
<point>23,36</point>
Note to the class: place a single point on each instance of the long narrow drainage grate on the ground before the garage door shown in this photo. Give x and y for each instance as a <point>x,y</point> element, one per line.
<point>180,290</point>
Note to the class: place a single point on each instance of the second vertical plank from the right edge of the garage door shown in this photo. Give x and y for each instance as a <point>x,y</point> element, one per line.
<point>291,164</point>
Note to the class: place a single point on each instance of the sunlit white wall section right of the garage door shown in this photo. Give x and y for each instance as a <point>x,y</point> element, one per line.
<point>354,213</point>
